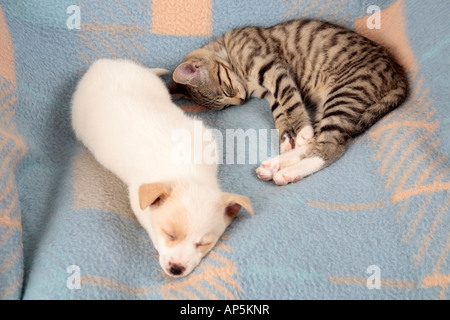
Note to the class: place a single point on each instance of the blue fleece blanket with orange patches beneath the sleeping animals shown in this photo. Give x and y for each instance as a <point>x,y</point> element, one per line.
<point>374,225</point>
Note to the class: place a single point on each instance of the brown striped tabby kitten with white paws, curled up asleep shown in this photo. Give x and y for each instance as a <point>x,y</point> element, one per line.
<point>349,82</point>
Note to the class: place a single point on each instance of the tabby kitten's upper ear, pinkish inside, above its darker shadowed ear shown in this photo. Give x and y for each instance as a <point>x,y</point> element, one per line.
<point>193,73</point>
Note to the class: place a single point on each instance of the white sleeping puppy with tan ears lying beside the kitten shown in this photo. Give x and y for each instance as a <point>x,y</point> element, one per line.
<point>124,115</point>
